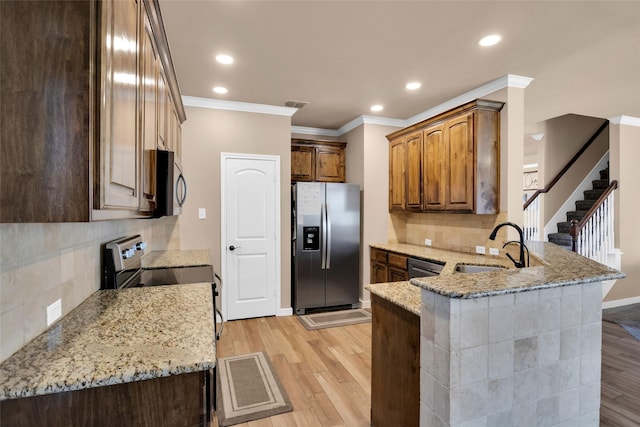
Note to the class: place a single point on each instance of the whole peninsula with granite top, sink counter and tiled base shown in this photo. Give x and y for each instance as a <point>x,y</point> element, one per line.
<point>504,345</point>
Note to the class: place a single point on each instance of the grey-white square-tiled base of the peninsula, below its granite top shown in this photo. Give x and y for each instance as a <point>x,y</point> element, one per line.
<point>530,358</point>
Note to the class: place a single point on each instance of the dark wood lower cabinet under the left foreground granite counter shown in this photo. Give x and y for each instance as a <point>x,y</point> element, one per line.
<point>177,400</point>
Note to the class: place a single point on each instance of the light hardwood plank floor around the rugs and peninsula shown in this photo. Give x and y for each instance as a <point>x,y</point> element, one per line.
<point>327,373</point>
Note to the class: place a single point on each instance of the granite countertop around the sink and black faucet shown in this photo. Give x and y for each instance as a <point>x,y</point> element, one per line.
<point>552,267</point>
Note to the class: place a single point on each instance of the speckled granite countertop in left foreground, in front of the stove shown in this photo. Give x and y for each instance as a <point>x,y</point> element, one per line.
<point>117,336</point>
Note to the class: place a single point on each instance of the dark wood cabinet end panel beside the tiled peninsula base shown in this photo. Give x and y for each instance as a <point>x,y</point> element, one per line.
<point>395,365</point>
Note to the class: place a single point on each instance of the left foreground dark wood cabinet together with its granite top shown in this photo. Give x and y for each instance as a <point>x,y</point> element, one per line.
<point>120,356</point>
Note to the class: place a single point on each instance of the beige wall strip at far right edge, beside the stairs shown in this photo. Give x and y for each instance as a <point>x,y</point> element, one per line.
<point>623,157</point>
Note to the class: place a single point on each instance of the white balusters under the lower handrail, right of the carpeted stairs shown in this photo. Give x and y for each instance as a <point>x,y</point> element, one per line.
<point>593,235</point>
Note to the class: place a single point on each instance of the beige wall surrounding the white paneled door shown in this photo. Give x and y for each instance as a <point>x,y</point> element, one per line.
<point>205,135</point>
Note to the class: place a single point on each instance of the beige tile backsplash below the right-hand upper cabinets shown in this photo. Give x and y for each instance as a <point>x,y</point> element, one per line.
<point>460,232</point>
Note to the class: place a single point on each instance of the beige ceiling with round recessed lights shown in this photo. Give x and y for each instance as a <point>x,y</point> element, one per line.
<point>344,56</point>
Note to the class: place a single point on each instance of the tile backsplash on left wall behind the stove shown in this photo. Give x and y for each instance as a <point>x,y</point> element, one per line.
<point>40,263</point>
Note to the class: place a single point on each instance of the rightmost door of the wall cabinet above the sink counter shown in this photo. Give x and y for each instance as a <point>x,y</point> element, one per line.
<point>460,173</point>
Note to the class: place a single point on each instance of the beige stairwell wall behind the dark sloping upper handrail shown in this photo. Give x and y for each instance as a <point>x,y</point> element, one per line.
<point>563,138</point>
